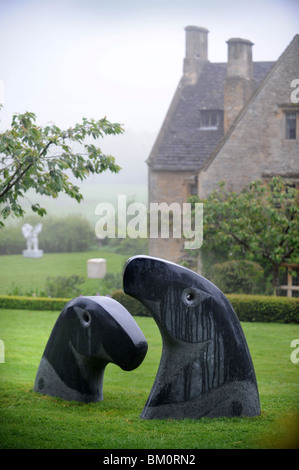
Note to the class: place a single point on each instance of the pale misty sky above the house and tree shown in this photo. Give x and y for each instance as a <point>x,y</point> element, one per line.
<point>65,59</point>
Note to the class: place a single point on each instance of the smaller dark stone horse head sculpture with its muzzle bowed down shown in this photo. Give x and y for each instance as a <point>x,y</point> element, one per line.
<point>89,333</point>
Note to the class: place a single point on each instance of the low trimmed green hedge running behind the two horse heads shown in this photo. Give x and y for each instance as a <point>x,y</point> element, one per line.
<point>250,308</point>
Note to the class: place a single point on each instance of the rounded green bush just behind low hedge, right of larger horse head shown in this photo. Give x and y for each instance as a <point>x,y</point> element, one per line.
<point>237,276</point>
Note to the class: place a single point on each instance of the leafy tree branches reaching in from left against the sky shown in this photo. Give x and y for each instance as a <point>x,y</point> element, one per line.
<point>33,156</point>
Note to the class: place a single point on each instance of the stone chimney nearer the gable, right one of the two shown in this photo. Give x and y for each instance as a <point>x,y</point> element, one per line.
<point>239,83</point>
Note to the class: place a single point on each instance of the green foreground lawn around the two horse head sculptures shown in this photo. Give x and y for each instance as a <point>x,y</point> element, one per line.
<point>29,420</point>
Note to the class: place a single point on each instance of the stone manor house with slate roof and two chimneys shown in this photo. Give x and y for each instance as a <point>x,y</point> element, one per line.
<point>236,121</point>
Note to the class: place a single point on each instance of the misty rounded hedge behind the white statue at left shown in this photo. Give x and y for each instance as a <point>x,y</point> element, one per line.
<point>59,235</point>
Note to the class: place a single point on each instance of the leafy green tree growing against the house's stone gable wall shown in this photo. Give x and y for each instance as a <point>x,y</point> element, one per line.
<point>262,222</point>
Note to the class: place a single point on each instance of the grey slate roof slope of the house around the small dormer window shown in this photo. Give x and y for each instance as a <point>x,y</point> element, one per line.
<point>180,145</point>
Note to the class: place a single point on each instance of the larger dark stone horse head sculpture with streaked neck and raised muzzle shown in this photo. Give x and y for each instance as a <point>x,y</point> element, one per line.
<point>205,367</point>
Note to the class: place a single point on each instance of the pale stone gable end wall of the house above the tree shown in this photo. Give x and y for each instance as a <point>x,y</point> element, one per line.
<point>256,145</point>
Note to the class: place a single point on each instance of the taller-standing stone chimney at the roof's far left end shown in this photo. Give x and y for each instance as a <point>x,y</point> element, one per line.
<point>196,52</point>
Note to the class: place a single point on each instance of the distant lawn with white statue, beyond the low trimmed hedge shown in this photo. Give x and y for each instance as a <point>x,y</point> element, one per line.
<point>31,273</point>
